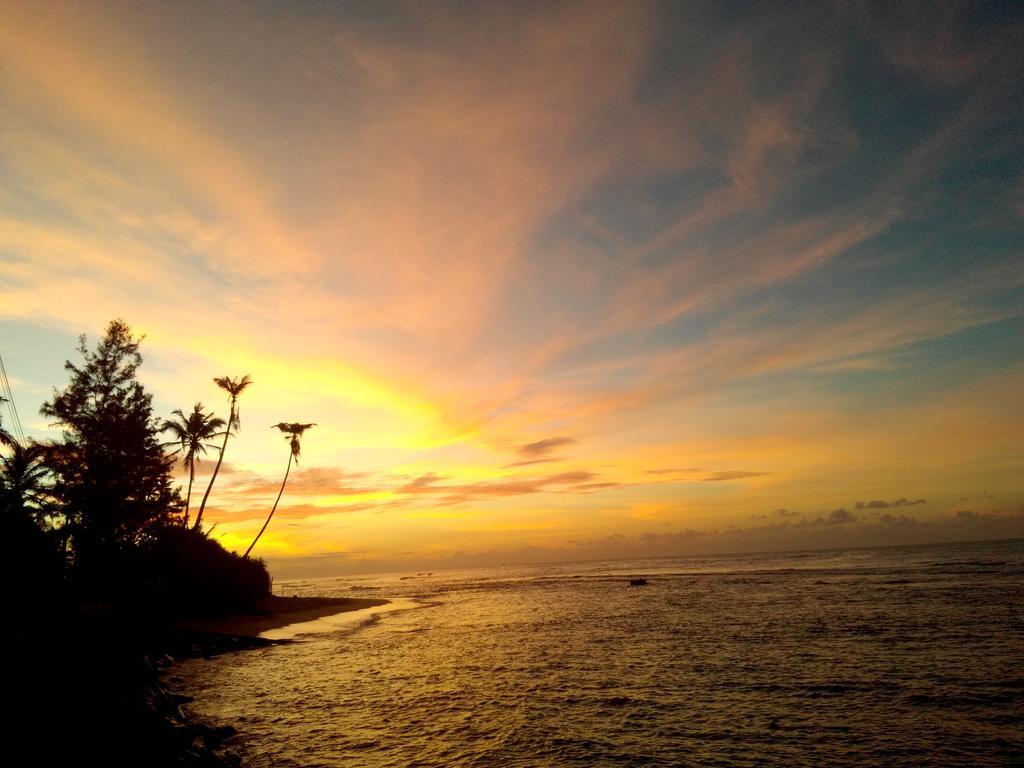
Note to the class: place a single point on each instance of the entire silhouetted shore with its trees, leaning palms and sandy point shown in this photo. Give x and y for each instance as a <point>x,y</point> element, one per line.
<point>104,566</point>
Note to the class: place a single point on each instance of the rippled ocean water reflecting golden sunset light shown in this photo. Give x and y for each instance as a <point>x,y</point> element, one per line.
<point>899,657</point>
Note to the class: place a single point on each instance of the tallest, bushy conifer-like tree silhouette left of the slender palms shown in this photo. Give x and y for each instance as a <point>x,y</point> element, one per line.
<point>111,476</point>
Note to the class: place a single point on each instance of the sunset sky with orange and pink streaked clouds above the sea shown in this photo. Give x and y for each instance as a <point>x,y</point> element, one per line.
<point>556,281</point>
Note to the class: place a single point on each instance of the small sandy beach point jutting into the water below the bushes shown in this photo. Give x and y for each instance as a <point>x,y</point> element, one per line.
<point>275,612</point>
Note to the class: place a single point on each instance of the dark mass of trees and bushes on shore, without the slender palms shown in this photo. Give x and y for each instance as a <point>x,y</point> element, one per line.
<point>96,515</point>
